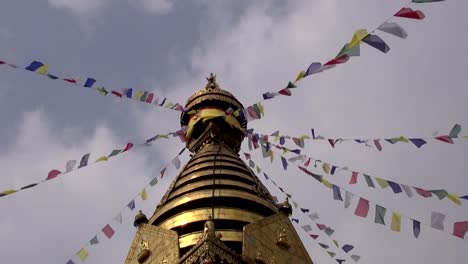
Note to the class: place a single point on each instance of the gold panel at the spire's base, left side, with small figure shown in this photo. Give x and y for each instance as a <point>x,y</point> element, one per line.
<point>156,243</point>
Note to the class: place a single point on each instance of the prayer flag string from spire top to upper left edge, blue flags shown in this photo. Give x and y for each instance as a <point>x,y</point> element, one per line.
<point>142,96</point>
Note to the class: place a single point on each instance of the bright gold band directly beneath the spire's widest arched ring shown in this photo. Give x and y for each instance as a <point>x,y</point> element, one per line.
<point>202,214</point>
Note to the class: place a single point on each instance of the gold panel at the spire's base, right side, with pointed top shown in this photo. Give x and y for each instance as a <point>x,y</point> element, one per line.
<point>274,237</point>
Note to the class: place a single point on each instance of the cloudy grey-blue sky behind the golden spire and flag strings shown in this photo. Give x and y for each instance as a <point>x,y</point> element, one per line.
<point>169,47</point>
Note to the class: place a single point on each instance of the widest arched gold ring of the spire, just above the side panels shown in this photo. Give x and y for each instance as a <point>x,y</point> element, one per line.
<point>208,194</point>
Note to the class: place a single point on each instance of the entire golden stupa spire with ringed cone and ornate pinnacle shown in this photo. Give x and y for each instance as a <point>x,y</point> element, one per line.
<point>216,210</point>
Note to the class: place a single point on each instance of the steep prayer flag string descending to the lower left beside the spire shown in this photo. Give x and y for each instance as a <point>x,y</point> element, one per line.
<point>109,229</point>
